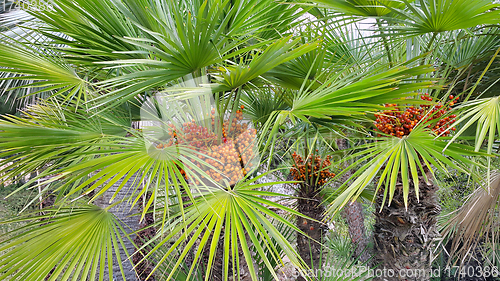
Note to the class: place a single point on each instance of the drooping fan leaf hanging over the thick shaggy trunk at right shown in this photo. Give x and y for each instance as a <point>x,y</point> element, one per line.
<point>393,160</point>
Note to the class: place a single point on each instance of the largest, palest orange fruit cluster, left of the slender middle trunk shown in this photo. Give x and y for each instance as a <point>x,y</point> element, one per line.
<point>228,158</point>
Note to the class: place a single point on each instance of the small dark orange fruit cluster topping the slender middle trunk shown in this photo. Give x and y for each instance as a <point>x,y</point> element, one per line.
<point>313,169</point>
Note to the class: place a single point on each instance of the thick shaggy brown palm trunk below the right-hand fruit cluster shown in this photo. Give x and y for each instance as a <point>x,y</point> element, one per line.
<point>404,238</point>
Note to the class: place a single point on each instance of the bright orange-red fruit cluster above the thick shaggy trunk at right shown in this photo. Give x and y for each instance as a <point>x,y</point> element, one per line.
<point>399,123</point>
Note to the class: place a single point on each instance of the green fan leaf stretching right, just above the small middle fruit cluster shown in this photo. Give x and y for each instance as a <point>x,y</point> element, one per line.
<point>347,98</point>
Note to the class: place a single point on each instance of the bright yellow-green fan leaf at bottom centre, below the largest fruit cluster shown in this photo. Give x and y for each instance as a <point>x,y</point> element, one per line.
<point>239,217</point>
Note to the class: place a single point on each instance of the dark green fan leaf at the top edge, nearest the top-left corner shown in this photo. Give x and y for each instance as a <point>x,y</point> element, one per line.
<point>89,31</point>
